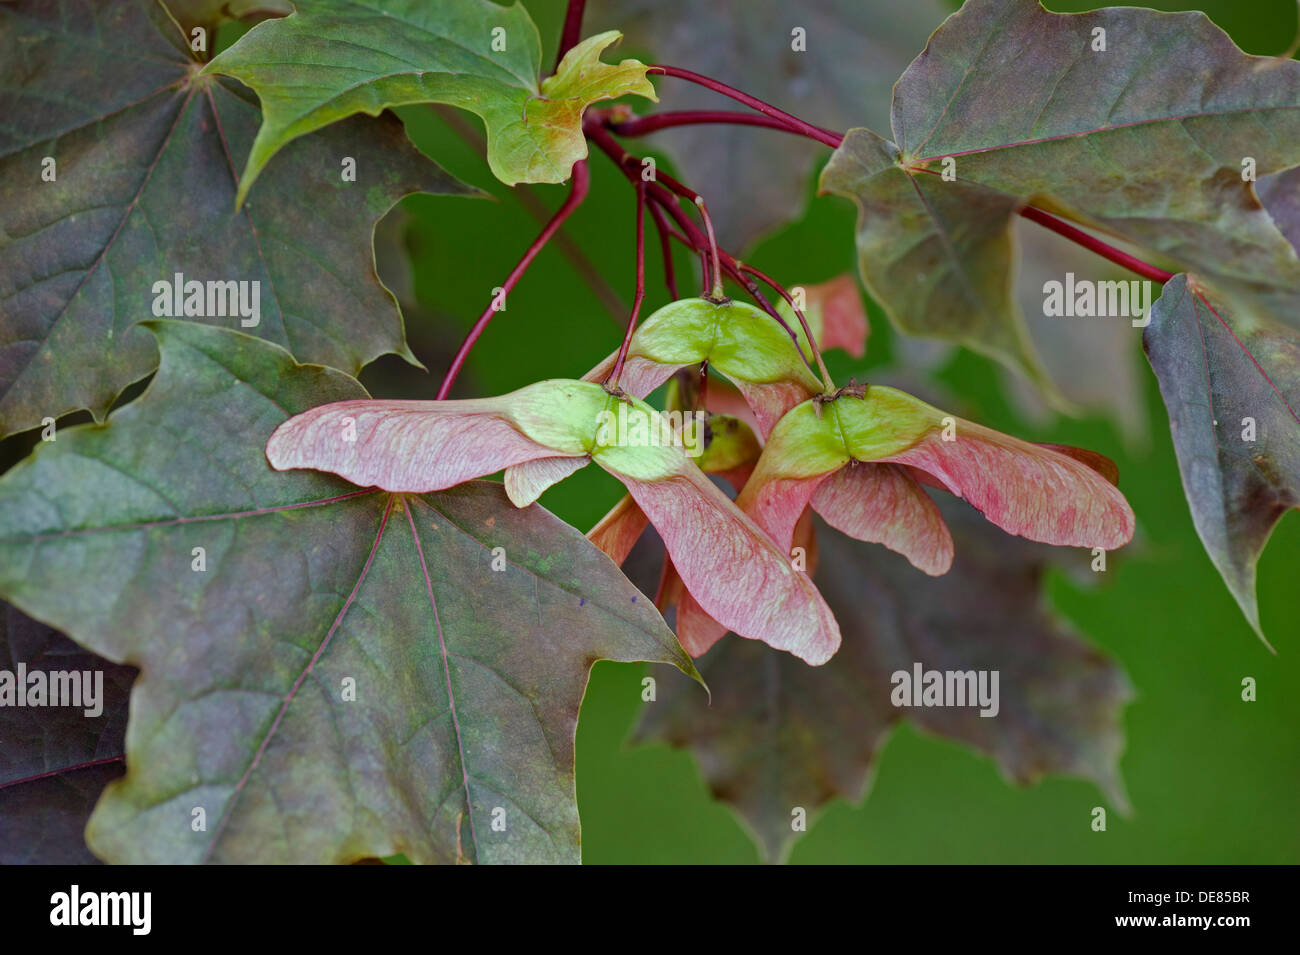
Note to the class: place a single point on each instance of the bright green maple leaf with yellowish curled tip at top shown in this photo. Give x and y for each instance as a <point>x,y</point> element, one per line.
<point>337,58</point>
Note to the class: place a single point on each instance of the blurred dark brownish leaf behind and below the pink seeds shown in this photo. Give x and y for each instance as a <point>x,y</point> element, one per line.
<point>781,736</point>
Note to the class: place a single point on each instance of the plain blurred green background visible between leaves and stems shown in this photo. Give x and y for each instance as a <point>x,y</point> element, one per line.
<point>1212,779</point>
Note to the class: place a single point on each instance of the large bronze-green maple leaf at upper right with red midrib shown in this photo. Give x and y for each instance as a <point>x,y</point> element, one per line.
<point>1143,140</point>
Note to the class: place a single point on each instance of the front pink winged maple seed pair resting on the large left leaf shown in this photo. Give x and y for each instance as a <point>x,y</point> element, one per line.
<point>735,571</point>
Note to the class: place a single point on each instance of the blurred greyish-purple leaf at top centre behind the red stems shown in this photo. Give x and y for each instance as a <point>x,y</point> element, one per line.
<point>838,73</point>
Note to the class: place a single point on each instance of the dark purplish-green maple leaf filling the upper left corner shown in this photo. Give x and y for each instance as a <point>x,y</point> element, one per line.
<point>145,186</point>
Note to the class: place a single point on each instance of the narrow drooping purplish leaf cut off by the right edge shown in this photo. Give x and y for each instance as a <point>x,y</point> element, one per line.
<point>1232,384</point>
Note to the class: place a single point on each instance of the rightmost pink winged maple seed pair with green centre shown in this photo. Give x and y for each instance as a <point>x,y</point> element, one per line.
<point>859,459</point>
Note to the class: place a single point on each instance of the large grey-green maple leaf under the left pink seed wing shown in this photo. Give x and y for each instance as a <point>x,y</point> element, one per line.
<point>340,674</point>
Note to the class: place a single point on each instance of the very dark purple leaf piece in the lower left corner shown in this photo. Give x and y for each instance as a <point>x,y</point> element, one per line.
<point>55,761</point>
